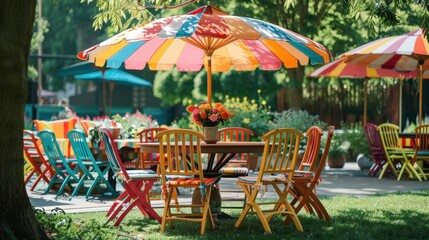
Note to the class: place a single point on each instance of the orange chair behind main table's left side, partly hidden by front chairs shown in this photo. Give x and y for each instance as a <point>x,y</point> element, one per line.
<point>151,161</point>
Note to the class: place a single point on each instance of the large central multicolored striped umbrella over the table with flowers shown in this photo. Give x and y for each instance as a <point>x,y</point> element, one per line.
<point>206,36</point>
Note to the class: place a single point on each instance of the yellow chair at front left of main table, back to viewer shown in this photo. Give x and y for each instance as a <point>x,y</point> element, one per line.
<point>181,167</point>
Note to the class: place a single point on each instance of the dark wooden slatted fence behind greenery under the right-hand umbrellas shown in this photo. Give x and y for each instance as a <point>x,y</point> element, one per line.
<point>342,100</point>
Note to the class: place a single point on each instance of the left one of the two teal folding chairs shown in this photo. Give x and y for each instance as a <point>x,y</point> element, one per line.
<point>66,169</point>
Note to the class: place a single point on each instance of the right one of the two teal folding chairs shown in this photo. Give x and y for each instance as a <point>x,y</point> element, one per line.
<point>92,175</point>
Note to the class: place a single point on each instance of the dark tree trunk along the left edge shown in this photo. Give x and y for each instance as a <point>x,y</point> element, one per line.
<point>16,27</point>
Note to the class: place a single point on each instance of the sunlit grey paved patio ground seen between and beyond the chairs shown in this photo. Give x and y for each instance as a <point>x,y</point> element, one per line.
<point>349,180</point>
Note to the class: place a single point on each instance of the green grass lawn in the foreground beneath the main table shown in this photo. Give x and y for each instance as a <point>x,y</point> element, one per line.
<point>387,216</point>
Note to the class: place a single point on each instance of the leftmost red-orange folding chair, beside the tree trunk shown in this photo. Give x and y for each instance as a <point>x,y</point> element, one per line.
<point>34,156</point>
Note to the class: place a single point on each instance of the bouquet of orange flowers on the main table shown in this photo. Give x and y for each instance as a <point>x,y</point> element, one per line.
<point>208,116</point>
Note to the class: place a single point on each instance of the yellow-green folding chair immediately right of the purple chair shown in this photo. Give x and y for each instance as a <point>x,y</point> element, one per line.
<point>398,159</point>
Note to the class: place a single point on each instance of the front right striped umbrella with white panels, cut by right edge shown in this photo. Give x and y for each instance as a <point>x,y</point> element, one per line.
<point>407,52</point>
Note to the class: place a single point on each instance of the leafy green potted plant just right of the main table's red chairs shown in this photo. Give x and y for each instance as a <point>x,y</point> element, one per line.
<point>338,152</point>
